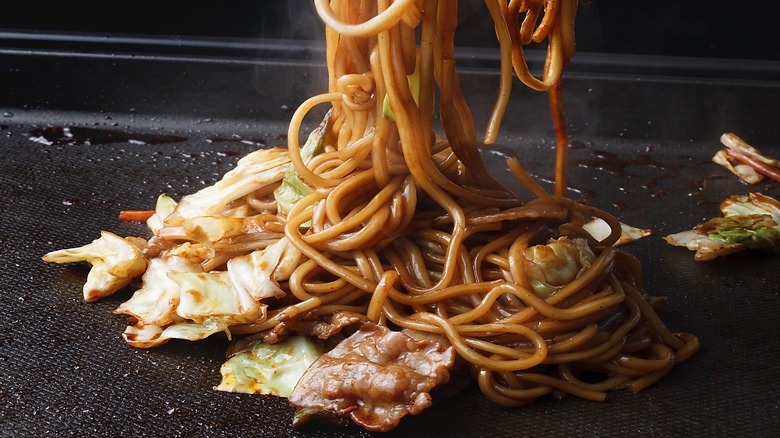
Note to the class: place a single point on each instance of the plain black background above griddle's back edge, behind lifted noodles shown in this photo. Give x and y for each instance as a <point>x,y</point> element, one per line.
<point>692,28</point>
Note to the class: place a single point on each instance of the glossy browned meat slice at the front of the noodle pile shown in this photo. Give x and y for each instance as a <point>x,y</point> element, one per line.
<point>376,376</point>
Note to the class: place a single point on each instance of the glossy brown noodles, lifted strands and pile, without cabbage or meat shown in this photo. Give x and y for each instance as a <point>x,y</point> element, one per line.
<point>473,291</point>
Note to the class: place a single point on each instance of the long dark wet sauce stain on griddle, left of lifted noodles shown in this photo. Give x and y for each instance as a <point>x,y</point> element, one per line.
<point>70,136</point>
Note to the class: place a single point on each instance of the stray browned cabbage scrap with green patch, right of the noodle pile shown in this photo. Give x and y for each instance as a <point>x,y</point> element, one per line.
<point>749,222</point>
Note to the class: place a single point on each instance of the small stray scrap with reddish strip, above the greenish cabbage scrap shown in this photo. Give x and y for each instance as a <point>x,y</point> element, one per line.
<point>745,161</point>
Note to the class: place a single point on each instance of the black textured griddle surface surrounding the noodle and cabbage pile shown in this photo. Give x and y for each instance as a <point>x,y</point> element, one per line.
<point>84,136</point>
